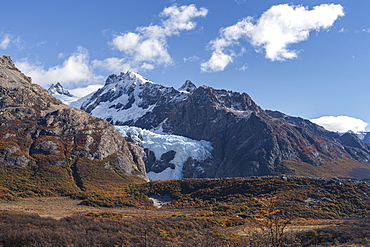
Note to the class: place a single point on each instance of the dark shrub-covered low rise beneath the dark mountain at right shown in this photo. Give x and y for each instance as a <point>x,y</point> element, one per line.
<point>301,197</point>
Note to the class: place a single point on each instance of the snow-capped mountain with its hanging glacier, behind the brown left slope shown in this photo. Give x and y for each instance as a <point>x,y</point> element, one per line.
<point>240,138</point>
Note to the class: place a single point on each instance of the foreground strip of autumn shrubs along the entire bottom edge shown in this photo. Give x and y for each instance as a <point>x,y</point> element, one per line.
<point>144,229</point>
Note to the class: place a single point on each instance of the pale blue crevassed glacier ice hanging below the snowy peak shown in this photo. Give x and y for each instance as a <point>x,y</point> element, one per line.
<point>162,143</point>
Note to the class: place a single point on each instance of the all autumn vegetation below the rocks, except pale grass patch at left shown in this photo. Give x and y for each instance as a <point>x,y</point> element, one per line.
<point>260,211</point>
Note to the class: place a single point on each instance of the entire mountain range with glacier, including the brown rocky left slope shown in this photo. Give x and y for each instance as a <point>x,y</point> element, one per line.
<point>165,133</point>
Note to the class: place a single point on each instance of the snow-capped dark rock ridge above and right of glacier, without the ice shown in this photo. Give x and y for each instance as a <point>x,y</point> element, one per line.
<point>247,140</point>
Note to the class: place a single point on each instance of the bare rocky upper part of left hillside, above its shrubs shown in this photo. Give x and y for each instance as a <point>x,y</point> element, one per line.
<point>36,128</point>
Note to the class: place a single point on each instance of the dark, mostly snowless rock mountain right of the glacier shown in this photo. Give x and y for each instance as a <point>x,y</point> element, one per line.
<point>250,141</point>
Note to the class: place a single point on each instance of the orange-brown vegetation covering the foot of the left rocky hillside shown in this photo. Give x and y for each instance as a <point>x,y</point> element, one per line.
<point>85,179</point>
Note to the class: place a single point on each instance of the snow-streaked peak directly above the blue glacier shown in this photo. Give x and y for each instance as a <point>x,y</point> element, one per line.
<point>131,99</point>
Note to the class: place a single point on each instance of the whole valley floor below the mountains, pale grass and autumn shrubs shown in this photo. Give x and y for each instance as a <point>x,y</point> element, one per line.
<point>268,211</point>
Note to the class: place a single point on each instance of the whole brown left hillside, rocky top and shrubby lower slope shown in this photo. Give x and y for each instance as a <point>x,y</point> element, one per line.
<point>48,147</point>
